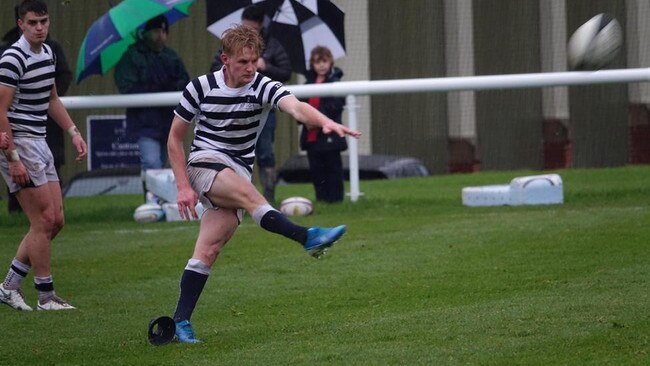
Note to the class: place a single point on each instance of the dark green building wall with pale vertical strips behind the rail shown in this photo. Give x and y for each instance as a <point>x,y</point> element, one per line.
<point>554,128</point>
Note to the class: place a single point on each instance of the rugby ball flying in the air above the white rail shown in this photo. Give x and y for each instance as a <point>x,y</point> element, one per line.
<point>595,44</point>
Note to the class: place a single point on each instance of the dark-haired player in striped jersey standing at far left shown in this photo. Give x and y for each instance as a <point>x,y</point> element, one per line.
<point>27,72</point>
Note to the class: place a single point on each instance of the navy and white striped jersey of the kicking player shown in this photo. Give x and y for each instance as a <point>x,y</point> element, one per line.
<point>228,120</point>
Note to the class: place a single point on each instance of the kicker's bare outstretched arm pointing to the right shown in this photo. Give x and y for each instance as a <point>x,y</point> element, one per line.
<point>310,116</point>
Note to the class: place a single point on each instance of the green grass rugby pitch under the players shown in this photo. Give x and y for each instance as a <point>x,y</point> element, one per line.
<point>418,279</point>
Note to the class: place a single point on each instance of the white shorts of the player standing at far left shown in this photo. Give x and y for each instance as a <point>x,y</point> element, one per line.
<point>37,159</point>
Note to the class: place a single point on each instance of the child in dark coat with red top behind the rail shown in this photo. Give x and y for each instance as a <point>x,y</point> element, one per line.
<point>324,150</point>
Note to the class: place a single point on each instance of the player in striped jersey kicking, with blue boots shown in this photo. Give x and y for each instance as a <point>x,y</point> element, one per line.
<point>229,108</point>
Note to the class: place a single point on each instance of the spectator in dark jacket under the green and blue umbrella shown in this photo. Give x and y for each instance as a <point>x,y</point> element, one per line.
<point>149,66</point>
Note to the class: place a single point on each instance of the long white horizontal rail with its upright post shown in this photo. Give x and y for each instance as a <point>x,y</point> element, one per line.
<point>351,89</point>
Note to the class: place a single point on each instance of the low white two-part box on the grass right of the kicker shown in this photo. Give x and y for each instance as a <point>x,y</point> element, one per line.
<point>531,190</point>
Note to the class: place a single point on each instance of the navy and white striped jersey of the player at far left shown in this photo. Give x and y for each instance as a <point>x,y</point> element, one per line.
<point>32,75</point>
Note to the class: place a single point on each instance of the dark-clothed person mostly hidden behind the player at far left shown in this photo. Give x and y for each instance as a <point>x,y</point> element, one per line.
<point>62,79</point>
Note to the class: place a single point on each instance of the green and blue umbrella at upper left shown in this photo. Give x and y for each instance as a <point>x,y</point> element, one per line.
<point>111,34</point>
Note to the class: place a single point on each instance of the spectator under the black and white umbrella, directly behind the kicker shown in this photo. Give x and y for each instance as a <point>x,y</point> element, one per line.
<point>274,63</point>
